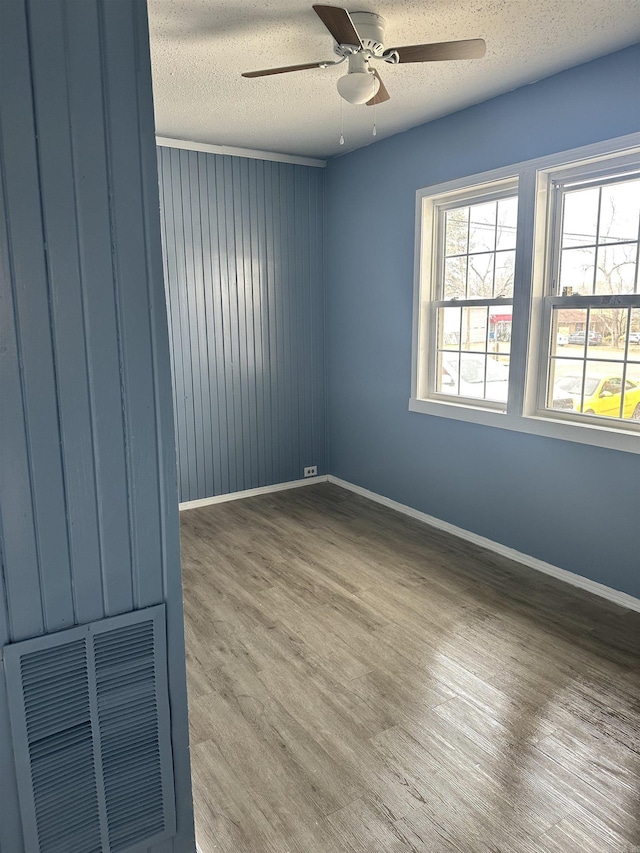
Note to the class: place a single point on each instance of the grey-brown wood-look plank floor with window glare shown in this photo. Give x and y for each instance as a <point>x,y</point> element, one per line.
<point>361,682</point>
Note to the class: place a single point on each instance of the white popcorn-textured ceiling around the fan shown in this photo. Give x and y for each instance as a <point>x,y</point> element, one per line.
<point>200,47</point>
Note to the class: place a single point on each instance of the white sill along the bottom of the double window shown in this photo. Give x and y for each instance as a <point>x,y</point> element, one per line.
<point>597,436</point>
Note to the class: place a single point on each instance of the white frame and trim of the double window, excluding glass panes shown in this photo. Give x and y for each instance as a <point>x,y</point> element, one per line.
<point>523,411</point>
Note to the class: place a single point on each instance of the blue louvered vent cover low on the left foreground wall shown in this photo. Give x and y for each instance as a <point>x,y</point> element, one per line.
<point>89,712</point>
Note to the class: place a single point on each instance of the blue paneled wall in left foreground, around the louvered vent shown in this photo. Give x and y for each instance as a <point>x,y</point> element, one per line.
<point>88,508</point>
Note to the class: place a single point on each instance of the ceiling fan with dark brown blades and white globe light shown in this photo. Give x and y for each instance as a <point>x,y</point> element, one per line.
<point>359,38</point>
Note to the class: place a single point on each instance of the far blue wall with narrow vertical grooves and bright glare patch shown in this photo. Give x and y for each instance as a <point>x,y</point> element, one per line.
<point>243,266</point>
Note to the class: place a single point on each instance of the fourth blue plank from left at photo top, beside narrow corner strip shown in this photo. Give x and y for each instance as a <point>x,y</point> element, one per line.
<point>130,270</point>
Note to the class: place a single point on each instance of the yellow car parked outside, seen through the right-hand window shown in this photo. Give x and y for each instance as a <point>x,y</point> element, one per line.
<point>602,395</point>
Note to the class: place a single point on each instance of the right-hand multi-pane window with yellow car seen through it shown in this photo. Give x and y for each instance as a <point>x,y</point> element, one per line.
<point>592,306</point>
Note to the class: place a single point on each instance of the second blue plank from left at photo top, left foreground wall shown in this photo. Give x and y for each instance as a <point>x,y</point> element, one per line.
<point>58,190</point>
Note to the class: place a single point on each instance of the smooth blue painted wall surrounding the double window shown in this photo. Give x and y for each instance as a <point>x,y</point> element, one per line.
<point>569,504</point>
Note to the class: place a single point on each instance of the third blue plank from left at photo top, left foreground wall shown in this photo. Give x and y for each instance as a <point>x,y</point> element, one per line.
<point>87,123</point>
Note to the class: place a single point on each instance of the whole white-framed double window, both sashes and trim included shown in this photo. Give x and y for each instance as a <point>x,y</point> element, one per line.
<point>527,298</point>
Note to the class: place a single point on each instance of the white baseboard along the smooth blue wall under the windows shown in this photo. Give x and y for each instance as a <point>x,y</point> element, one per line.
<point>621,598</point>
